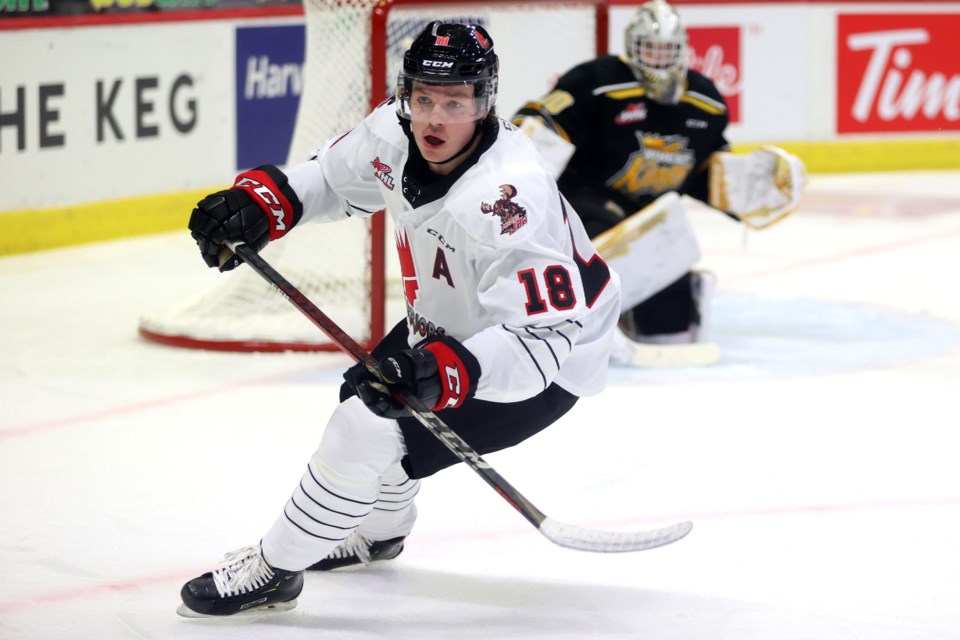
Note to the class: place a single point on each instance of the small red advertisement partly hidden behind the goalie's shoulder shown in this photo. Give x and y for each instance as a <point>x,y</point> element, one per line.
<point>715,52</point>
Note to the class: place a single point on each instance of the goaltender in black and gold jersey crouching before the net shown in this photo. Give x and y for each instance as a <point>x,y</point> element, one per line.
<point>622,131</point>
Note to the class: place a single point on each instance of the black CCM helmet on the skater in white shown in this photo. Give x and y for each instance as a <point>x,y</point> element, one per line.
<point>451,54</point>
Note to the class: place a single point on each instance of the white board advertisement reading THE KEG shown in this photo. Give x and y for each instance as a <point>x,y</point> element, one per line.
<point>101,113</point>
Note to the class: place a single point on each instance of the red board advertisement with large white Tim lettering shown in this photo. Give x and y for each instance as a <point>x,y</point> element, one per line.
<point>898,73</point>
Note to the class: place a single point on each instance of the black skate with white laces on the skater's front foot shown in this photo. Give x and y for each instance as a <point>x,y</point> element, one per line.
<point>244,583</point>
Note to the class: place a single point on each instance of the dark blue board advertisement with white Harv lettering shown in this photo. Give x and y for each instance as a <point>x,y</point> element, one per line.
<point>269,72</point>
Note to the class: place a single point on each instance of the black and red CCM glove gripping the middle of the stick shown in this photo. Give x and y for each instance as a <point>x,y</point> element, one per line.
<point>441,374</point>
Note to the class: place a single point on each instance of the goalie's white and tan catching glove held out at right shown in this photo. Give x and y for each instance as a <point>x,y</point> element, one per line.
<point>759,188</point>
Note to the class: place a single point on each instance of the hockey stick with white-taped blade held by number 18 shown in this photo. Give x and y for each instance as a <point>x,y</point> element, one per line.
<point>560,533</point>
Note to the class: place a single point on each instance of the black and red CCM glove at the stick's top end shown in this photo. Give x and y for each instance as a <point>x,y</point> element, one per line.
<point>260,207</point>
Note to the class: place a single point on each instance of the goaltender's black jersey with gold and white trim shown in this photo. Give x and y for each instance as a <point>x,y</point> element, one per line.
<point>629,149</point>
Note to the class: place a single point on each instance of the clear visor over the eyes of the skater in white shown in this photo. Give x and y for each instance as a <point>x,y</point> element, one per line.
<point>447,103</point>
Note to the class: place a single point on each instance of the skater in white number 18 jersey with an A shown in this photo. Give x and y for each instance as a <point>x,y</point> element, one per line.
<point>510,312</point>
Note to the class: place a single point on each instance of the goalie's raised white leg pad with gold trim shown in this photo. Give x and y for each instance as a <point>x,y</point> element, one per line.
<point>650,249</point>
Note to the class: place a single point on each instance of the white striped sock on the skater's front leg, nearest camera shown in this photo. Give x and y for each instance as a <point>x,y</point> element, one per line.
<point>338,490</point>
